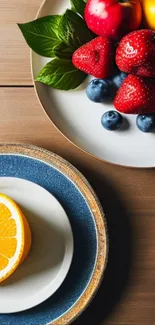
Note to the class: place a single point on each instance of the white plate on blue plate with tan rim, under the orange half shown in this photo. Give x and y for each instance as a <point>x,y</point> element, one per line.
<point>69,250</point>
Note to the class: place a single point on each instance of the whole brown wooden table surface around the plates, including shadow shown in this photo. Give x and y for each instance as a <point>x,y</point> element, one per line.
<point>127,295</point>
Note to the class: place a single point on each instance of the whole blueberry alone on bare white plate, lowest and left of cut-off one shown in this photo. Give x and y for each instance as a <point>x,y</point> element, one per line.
<point>111,120</point>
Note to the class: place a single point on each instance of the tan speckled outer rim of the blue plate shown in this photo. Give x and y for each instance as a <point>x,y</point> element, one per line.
<point>88,193</point>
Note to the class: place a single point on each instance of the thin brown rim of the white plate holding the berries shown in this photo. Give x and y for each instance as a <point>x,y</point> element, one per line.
<point>38,15</point>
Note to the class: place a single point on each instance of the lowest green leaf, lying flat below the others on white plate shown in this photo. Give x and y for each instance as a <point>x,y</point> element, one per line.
<point>61,74</point>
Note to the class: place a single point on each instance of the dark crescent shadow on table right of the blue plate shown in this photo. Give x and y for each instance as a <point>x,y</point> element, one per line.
<point>120,248</point>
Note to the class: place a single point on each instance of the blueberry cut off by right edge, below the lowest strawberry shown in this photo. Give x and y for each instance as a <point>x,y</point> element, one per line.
<point>146,122</point>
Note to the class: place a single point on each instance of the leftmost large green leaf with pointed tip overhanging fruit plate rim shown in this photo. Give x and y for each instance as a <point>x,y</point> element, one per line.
<point>42,34</point>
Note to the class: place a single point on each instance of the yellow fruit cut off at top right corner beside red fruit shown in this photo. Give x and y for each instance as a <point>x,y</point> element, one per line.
<point>148,7</point>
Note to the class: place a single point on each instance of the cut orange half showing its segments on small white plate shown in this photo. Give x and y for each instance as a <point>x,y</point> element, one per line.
<point>15,237</point>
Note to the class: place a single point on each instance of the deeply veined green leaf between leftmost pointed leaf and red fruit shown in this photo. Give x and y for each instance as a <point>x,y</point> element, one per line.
<point>73,30</point>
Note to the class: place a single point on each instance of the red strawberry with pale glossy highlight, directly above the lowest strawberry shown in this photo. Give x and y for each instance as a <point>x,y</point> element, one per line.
<point>136,53</point>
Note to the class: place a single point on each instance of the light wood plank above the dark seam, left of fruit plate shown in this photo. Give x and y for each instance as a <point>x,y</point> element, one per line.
<point>14,52</point>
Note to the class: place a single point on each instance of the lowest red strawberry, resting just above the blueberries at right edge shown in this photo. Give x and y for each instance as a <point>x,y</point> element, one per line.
<point>136,95</point>
